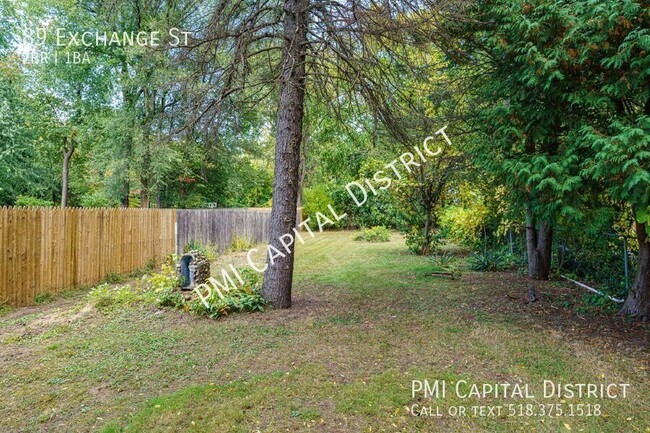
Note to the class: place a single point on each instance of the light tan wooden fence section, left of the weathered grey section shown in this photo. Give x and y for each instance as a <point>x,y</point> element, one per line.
<point>50,249</point>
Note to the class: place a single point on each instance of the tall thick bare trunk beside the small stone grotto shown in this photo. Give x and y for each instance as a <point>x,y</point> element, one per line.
<point>278,277</point>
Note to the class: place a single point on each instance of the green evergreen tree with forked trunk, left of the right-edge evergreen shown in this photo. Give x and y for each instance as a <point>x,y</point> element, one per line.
<point>523,108</point>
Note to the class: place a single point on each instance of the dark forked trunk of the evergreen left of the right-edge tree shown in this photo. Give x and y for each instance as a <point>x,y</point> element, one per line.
<point>539,242</point>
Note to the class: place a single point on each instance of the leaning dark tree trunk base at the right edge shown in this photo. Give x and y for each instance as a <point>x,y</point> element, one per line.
<point>638,299</point>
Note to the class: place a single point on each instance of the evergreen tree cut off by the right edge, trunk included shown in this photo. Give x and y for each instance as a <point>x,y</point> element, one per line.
<point>611,64</point>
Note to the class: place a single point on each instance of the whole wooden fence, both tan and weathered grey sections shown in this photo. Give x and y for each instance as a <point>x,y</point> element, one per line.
<point>51,249</point>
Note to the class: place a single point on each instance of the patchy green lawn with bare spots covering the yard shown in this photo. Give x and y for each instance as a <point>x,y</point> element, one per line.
<point>367,319</point>
